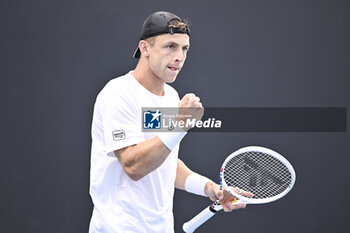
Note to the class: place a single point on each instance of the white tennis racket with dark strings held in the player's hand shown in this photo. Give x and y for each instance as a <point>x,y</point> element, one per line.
<point>261,171</point>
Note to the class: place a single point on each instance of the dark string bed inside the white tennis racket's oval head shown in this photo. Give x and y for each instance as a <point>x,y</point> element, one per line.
<point>258,173</point>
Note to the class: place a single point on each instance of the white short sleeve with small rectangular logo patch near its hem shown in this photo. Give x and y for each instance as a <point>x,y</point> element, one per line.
<point>121,122</point>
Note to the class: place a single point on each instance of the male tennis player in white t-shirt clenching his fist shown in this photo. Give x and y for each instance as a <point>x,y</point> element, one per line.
<point>134,173</point>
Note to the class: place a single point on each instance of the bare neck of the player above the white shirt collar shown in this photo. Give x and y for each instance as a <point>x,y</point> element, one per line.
<point>148,79</point>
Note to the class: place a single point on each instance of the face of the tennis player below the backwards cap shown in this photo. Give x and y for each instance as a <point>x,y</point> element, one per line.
<point>168,55</point>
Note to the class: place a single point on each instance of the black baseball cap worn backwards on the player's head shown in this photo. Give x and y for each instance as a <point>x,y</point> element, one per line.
<point>157,24</point>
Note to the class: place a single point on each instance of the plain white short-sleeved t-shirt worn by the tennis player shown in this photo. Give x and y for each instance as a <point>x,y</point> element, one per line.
<point>121,204</point>
